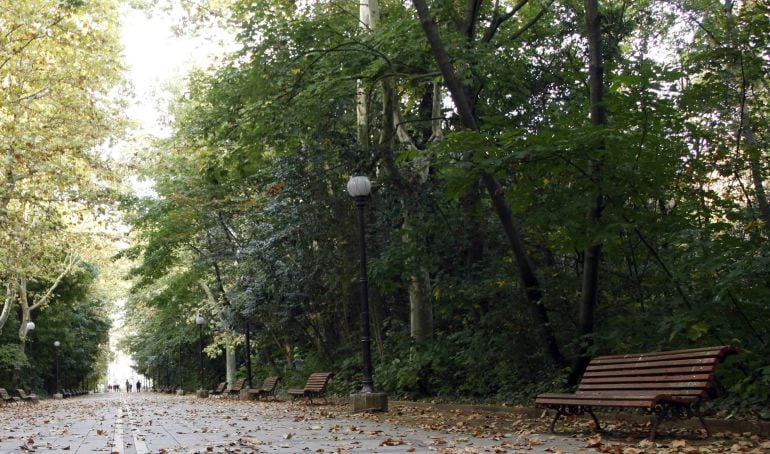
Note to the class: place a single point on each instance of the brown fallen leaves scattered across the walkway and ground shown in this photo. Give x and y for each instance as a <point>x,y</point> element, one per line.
<point>261,426</point>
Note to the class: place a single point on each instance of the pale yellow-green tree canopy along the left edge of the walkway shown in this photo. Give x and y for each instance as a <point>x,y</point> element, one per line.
<point>59,65</point>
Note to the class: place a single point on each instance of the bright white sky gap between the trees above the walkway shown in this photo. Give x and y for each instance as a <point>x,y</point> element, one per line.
<point>154,56</point>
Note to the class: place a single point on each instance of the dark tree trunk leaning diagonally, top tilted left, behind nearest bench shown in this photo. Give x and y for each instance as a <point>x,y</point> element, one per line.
<point>527,273</point>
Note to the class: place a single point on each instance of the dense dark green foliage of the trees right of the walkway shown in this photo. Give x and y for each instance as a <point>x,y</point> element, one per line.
<point>251,203</point>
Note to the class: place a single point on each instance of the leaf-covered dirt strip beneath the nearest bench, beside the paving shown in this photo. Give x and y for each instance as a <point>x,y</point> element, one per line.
<point>622,435</point>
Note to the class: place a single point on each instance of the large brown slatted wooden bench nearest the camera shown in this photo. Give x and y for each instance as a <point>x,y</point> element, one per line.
<point>666,385</point>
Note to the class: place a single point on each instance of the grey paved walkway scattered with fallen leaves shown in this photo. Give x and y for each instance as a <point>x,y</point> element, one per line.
<point>123,423</point>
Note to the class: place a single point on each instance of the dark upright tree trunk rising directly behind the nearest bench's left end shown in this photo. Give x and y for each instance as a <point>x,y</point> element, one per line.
<point>592,254</point>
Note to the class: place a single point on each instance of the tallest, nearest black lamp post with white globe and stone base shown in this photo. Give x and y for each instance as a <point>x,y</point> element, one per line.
<point>359,187</point>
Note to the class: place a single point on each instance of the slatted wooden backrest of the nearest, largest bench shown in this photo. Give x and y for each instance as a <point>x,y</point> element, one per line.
<point>684,373</point>
